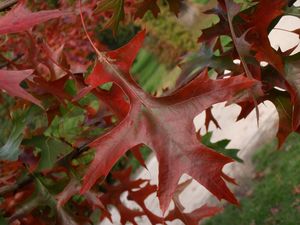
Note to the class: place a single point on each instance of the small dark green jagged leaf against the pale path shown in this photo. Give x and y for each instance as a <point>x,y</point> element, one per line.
<point>220,146</point>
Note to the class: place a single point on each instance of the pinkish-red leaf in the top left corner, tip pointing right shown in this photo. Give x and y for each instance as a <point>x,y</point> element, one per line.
<point>21,19</point>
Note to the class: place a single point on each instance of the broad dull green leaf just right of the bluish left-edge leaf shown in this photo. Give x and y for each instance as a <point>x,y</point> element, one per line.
<point>51,150</point>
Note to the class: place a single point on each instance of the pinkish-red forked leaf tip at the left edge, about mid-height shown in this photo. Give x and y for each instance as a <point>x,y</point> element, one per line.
<point>10,82</point>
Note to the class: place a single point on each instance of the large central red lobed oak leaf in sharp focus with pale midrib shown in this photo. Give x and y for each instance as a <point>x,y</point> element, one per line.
<point>166,125</point>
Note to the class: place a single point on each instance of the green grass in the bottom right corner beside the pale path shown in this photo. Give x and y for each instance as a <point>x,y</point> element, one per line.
<point>273,196</point>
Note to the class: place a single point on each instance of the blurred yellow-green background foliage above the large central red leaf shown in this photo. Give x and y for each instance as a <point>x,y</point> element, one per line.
<point>169,39</point>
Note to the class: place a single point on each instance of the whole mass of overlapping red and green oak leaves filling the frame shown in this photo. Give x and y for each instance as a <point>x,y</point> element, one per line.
<point>78,110</point>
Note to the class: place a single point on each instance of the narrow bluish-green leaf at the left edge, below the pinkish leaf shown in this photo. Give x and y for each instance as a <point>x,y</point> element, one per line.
<point>11,151</point>
